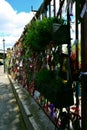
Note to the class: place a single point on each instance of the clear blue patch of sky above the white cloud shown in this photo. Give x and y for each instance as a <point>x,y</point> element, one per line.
<point>24,5</point>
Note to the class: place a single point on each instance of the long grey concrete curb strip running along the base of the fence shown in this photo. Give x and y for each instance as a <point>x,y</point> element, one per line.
<point>33,115</point>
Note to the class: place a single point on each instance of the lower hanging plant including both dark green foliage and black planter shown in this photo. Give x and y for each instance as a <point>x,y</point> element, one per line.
<point>55,90</point>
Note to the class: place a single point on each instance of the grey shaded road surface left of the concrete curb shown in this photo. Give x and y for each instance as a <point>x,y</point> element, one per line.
<point>10,117</point>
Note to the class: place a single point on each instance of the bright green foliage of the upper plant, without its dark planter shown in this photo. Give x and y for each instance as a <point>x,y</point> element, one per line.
<point>40,33</point>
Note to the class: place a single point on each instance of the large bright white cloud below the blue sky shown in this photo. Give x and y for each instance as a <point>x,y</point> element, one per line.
<point>11,23</point>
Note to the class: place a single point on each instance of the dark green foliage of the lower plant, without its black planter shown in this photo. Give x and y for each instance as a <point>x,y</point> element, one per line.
<point>47,84</point>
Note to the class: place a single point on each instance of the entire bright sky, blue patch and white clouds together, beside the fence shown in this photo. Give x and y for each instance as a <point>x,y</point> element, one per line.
<point>14,15</point>
